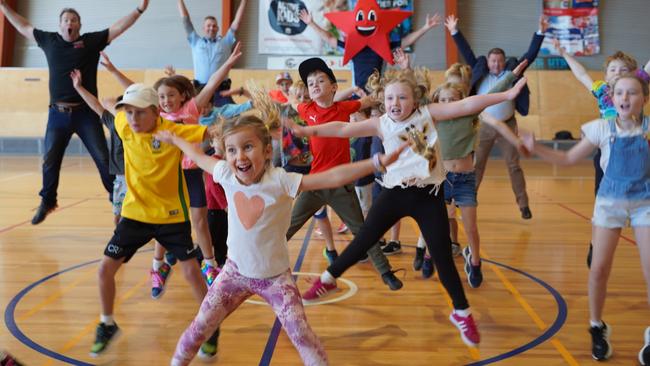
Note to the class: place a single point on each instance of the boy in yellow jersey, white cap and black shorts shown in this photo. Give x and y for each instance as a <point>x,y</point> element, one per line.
<point>156,203</point>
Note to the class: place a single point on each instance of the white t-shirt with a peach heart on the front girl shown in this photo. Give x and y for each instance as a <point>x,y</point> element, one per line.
<point>259,216</point>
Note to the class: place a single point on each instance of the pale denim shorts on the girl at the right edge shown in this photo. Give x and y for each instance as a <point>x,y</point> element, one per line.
<point>615,213</point>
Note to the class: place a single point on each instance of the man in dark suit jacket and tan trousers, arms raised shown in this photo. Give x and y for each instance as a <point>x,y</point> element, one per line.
<point>486,72</point>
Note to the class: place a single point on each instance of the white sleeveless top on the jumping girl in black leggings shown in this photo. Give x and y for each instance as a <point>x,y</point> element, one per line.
<point>411,169</point>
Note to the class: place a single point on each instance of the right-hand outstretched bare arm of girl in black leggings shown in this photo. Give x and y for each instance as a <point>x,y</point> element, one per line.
<point>473,104</point>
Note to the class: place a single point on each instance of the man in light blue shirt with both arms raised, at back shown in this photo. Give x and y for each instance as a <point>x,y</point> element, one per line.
<point>211,50</point>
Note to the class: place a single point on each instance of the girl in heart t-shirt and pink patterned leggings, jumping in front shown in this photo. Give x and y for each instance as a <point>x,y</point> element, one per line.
<point>259,213</point>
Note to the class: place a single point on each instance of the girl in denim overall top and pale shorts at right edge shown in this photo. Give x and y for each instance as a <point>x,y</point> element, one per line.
<point>624,195</point>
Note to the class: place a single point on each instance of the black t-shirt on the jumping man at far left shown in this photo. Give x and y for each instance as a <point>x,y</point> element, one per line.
<point>63,57</point>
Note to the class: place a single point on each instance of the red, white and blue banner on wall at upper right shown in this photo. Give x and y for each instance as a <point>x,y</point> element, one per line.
<point>575,24</point>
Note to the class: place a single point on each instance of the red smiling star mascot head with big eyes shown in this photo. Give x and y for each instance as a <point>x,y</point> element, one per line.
<point>367,26</point>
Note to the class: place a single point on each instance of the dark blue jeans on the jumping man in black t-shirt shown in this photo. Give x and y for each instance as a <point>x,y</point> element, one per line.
<point>60,127</point>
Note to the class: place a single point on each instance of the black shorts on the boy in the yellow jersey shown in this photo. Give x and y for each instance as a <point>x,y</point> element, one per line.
<point>131,235</point>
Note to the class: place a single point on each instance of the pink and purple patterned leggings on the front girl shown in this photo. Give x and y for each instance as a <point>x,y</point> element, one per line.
<point>229,290</point>
